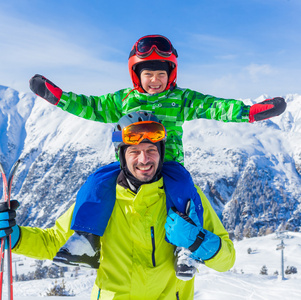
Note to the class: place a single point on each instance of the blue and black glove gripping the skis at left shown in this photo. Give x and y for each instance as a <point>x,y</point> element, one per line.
<point>8,223</point>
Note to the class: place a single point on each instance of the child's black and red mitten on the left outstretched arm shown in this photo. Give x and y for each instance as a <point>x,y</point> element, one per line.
<point>44,88</point>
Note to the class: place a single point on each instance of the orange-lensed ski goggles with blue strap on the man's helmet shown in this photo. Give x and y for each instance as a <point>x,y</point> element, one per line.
<point>135,133</point>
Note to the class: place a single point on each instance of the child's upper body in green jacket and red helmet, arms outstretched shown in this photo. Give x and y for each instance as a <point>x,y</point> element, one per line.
<point>153,70</point>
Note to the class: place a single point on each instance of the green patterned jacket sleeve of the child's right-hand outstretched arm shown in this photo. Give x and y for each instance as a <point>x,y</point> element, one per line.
<point>197,105</point>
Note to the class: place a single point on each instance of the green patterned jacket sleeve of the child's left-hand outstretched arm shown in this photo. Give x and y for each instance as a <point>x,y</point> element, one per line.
<point>106,108</point>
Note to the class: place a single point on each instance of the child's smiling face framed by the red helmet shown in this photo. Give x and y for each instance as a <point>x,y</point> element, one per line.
<point>154,82</point>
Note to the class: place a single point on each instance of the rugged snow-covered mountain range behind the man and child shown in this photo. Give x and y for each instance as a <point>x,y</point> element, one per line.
<point>250,172</point>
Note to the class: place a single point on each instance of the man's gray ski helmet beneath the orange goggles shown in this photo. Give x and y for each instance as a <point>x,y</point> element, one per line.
<point>135,117</point>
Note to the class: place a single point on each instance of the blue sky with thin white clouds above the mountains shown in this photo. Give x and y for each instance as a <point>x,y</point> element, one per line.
<point>227,48</point>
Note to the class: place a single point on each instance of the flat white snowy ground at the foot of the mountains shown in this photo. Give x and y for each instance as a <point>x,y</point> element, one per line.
<point>242,282</point>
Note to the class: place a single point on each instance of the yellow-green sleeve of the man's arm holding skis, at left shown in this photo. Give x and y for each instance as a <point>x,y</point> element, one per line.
<point>44,243</point>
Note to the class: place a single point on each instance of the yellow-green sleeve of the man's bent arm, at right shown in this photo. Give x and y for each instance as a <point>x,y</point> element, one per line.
<point>225,258</point>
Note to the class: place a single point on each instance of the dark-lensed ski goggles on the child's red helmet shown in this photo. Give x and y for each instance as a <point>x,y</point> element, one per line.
<point>147,44</point>
